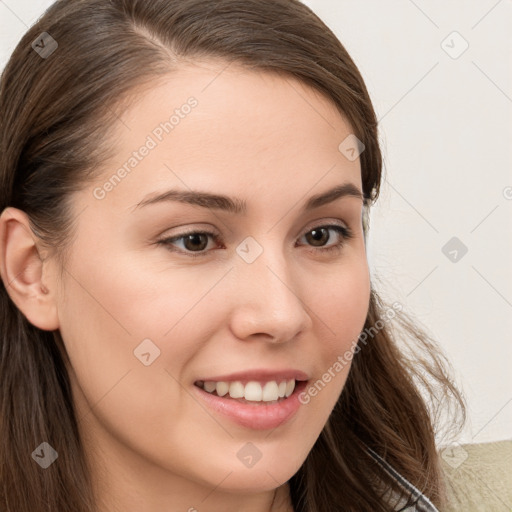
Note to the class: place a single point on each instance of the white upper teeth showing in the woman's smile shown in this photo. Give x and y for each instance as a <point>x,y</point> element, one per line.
<point>253,390</point>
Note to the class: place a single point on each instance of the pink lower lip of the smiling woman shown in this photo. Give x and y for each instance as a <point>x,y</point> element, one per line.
<point>260,416</point>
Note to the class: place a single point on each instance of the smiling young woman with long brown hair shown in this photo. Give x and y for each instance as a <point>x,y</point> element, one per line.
<point>188,321</point>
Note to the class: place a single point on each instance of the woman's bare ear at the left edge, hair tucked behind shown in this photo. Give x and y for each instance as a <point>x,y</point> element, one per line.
<point>21,269</point>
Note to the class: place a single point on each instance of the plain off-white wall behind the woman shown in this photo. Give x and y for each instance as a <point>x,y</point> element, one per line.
<point>446,131</point>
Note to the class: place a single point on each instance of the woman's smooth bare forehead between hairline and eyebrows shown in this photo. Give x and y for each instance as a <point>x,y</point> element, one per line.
<point>227,128</point>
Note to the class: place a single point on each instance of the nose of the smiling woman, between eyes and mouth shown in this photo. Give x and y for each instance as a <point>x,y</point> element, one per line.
<point>268,299</point>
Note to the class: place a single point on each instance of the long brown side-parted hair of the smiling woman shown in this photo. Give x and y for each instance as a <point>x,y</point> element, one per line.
<point>56,110</point>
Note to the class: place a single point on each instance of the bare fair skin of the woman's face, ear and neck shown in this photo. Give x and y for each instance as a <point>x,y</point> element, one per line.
<point>273,142</point>
